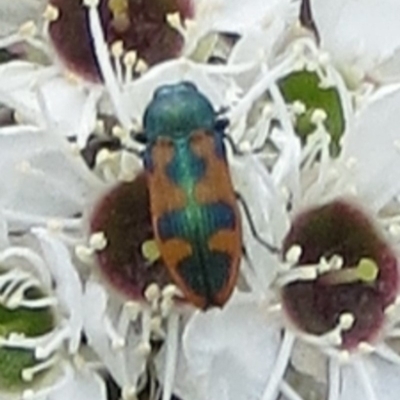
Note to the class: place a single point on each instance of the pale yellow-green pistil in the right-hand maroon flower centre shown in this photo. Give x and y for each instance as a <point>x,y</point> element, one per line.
<point>366,271</point>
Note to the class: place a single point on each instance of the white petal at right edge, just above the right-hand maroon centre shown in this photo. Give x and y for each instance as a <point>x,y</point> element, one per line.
<point>372,146</point>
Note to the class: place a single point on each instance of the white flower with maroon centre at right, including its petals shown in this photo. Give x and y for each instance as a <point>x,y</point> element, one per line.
<point>251,348</point>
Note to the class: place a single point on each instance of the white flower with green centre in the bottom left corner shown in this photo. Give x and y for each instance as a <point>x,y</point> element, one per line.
<point>41,322</point>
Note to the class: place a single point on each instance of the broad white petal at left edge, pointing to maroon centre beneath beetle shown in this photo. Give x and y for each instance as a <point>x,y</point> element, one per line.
<point>41,177</point>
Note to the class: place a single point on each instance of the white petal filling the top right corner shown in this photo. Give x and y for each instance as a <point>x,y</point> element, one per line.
<point>362,33</point>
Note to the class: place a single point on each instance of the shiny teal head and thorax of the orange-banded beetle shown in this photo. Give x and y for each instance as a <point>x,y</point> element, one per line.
<point>177,110</point>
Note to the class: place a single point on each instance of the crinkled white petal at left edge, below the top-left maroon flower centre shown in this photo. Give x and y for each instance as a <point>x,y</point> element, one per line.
<point>41,95</point>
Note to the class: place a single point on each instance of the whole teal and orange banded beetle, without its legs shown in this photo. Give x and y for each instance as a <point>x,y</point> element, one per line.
<point>195,215</point>
